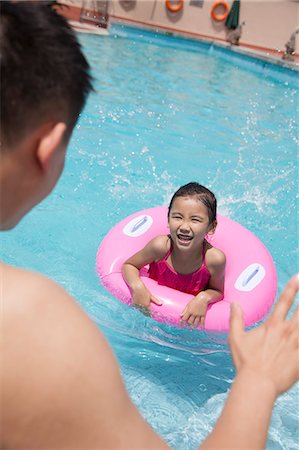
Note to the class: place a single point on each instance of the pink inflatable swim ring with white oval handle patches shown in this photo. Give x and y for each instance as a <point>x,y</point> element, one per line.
<point>250,277</point>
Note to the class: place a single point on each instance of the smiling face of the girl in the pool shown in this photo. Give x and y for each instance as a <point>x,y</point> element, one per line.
<point>188,222</point>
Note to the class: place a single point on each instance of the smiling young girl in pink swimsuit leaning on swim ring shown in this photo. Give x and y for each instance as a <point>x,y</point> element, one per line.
<point>183,260</point>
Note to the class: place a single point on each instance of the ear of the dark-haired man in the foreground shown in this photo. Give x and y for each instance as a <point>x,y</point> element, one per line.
<point>49,143</point>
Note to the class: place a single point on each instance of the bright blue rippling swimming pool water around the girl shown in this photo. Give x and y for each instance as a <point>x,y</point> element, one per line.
<point>165,112</point>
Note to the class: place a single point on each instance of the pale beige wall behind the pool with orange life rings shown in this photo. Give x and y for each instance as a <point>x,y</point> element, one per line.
<point>269,23</point>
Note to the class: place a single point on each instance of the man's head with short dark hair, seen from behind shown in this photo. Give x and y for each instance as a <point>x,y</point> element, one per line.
<point>44,84</point>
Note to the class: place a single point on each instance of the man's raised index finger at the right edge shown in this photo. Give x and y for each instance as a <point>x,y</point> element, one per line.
<point>285,301</point>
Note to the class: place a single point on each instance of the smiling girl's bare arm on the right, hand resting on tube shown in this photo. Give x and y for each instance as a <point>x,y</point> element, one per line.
<point>195,311</point>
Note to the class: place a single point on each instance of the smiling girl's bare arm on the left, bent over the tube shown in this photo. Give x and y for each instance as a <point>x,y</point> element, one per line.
<point>154,250</point>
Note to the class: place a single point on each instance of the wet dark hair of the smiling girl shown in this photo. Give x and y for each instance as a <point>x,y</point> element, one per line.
<point>203,195</point>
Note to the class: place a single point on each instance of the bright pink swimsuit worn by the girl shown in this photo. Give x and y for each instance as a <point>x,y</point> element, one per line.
<point>191,283</point>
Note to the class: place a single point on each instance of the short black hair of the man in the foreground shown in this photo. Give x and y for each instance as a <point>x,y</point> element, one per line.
<point>44,75</point>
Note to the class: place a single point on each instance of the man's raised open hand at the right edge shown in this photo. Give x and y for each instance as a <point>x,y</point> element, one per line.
<point>271,350</point>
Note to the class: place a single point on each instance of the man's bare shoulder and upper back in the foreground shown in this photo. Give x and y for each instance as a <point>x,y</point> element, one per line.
<point>61,383</point>
